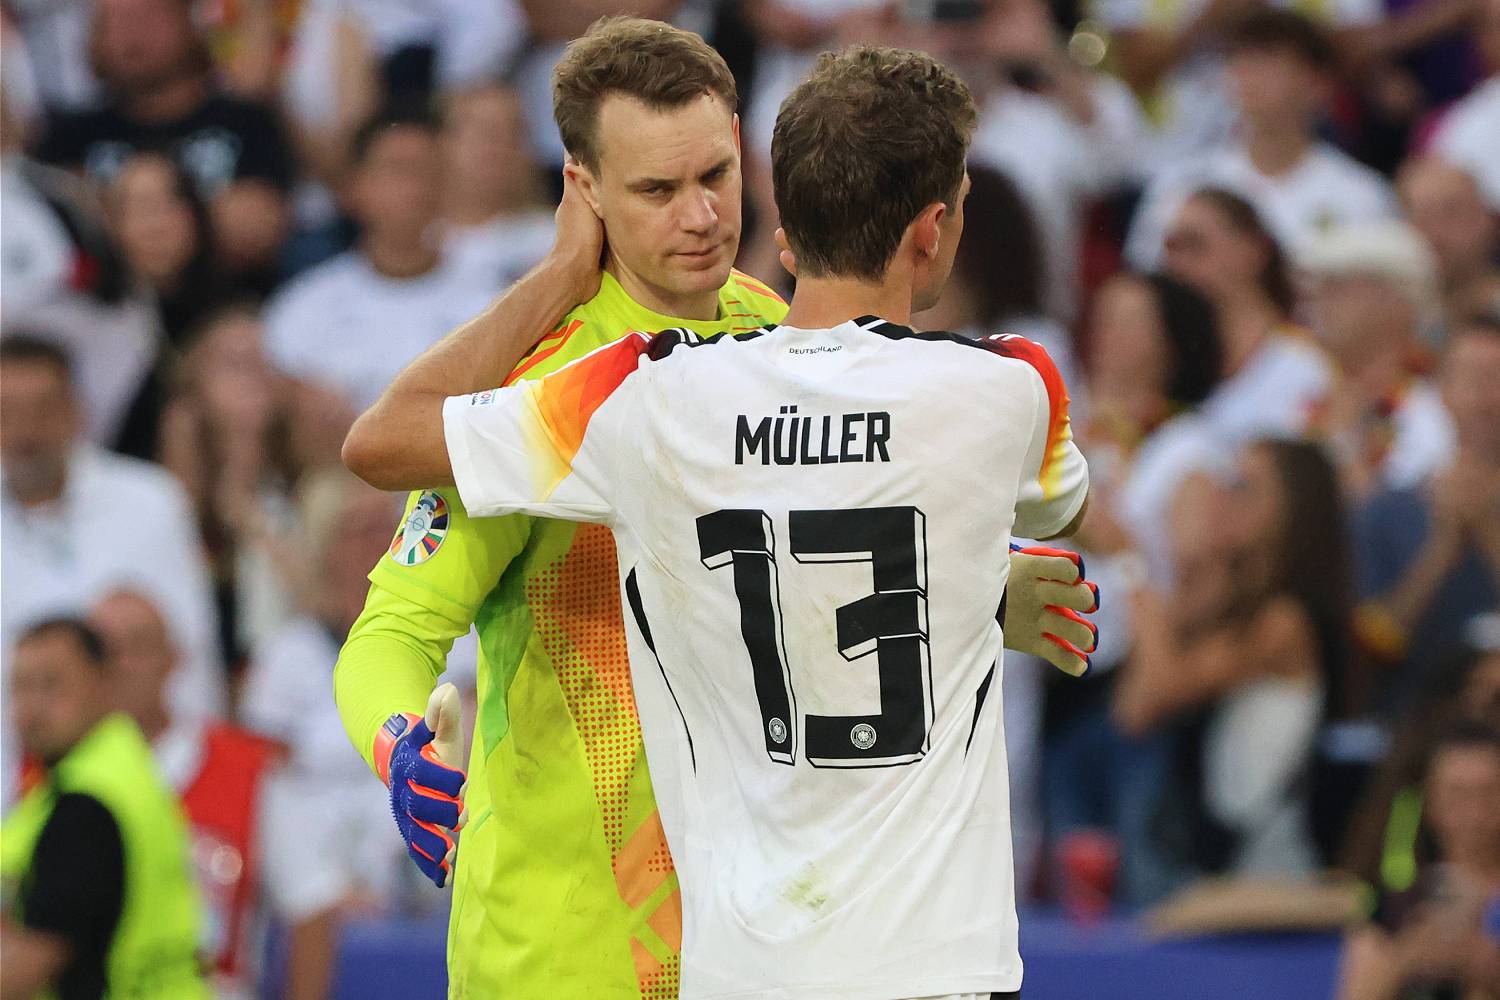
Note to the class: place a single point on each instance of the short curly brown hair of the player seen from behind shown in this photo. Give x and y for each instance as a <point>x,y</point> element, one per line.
<point>865,145</point>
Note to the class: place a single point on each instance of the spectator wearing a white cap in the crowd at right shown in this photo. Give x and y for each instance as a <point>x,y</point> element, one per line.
<point>1373,290</point>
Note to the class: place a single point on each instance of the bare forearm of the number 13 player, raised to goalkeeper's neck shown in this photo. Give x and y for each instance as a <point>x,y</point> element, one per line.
<point>398,443</point>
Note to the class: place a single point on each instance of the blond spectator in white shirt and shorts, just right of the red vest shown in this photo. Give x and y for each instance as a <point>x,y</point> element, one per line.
<point>350,863</point>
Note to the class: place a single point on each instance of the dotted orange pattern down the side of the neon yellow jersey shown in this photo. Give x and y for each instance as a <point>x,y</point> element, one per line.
<point>577,608</point>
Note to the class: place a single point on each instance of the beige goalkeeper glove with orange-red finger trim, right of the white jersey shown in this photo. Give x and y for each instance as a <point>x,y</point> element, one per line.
<point>1046,602</point>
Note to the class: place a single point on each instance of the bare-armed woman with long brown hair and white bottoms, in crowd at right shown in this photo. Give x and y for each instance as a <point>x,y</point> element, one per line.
<point>1241,656</point>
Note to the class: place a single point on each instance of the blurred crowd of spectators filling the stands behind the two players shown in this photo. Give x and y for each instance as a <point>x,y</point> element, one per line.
<point>1262,241</point>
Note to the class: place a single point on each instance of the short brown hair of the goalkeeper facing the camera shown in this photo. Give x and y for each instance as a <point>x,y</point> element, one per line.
<point>653,62</point>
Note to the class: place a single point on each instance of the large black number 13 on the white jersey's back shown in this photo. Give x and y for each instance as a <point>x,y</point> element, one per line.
<point>892,623</point>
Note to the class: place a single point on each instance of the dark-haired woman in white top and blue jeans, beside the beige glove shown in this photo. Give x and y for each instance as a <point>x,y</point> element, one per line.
<point>1156,358</point>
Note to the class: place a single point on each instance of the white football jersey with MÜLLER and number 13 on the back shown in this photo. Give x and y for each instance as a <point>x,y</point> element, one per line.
<point>814,531</point>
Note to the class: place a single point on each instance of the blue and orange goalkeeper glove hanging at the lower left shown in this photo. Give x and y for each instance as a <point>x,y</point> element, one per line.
<point>416,758</point>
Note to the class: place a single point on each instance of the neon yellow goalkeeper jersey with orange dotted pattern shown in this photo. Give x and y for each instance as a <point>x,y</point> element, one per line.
<point>565,887</point>
